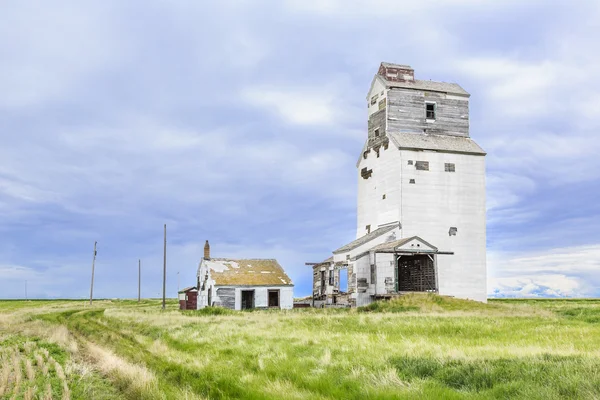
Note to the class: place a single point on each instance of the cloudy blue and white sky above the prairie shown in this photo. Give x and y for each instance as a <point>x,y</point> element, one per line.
<point>240,122</point>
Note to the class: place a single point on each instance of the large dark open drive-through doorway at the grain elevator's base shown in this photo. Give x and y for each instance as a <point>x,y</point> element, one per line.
<point>416,274</point>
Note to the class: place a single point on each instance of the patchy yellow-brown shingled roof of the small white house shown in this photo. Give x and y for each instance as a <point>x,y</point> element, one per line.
<point>247,272</point>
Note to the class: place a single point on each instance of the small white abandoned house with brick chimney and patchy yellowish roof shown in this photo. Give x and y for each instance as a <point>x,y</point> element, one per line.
<point>242,284</point>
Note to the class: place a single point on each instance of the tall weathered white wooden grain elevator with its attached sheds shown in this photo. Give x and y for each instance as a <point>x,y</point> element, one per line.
<point>421,199</point>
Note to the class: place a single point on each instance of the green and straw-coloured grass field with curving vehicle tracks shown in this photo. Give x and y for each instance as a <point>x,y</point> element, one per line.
<point>420,346</point>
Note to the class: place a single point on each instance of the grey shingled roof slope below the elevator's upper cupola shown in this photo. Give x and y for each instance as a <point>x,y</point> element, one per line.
<point>447,143</point>
